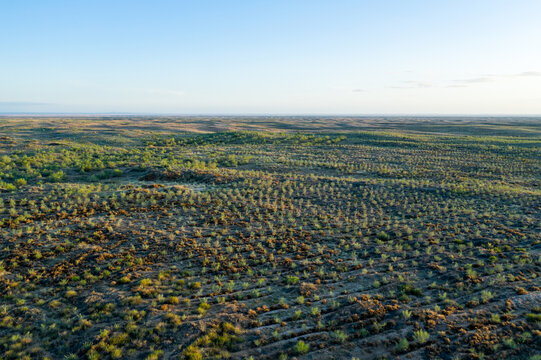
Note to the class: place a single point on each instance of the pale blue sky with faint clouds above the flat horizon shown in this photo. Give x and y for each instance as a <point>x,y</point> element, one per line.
<point>281,57</point>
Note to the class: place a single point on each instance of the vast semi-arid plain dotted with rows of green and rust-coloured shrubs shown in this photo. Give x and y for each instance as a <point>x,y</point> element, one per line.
<point>270,237</point>
